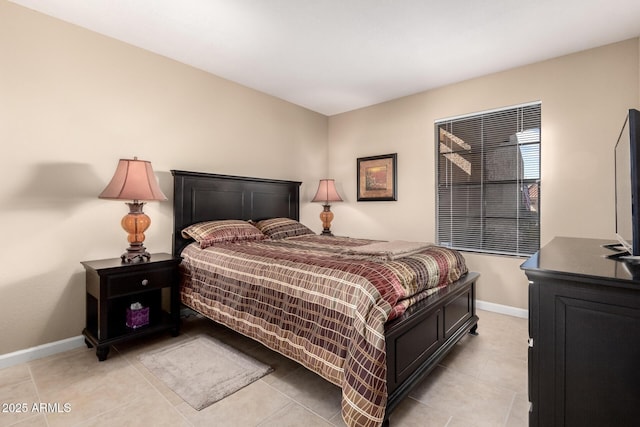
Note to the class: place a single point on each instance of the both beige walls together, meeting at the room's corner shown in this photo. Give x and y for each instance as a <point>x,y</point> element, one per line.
<point>73,102</point>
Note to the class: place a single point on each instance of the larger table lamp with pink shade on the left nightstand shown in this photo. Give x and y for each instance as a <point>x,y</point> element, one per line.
<point>134,180</point>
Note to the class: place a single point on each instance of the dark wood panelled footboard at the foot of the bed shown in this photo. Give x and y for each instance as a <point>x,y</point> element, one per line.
<point>419,339</point>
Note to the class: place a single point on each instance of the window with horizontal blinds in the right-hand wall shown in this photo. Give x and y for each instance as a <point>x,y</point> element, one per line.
<point>488,195</point>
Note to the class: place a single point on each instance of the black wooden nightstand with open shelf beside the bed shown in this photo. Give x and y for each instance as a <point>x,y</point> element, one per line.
<point>113,286</point>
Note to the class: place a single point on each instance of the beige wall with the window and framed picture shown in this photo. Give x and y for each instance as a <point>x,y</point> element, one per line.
<point>584,101</point>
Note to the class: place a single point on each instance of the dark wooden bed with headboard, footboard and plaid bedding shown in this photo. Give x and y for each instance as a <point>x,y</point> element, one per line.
<point>375,342</point>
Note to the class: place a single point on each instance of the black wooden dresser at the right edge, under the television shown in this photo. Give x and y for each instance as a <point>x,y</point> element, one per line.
<point>584,328</point>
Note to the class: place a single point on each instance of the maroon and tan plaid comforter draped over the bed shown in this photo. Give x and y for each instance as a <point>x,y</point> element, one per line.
<point>309,299</point>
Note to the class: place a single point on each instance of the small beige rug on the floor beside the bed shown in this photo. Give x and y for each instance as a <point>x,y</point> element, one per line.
<point>202,370</point>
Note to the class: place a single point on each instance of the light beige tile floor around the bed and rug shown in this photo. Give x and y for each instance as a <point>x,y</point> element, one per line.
<point>482,382</point>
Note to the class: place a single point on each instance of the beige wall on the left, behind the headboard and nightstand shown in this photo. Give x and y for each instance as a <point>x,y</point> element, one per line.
<point>71,104</point>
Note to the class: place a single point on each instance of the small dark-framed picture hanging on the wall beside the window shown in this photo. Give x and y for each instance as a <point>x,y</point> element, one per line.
<point>377,178</point>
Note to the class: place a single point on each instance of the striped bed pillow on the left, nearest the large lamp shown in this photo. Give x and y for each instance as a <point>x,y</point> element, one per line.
<point>222,231</point>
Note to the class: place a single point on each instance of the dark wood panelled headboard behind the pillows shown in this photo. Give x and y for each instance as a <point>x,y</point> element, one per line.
<point>201,197</point>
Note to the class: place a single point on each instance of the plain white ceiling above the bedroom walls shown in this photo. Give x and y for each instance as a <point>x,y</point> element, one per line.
<point>333,56</point>
